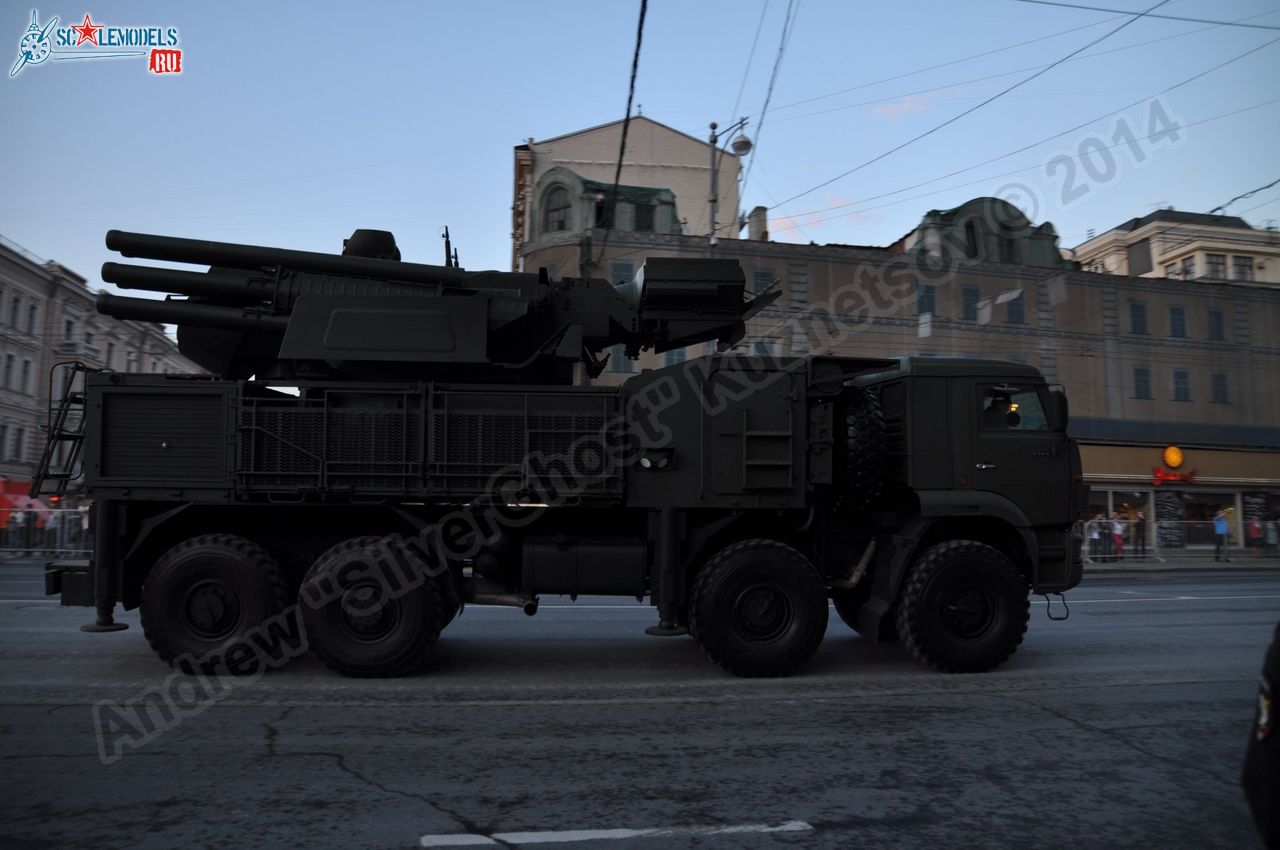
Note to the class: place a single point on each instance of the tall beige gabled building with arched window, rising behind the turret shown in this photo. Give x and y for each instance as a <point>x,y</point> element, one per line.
<point>564,188</point>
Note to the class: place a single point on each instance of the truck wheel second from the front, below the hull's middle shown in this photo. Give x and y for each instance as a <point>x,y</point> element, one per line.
<point>760,609</point>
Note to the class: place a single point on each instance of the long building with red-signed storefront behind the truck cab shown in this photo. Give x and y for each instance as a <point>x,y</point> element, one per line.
<point>1149,362</point>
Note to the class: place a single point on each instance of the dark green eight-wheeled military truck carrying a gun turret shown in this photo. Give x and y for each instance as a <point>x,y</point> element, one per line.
<point>381,444</point>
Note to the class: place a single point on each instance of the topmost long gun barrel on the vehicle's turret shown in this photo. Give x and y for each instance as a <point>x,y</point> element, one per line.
<point>252,257</point>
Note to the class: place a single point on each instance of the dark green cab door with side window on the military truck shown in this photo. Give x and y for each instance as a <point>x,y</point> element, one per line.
<point>1016,450</point>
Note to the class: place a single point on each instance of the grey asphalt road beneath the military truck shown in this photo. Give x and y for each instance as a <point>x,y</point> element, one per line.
<point>1122,728</point>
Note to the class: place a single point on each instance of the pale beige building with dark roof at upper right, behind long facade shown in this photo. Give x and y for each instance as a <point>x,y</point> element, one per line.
<point>1187,246</point>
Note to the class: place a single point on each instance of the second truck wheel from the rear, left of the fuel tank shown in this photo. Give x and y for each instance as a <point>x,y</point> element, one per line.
<point>364,623</point>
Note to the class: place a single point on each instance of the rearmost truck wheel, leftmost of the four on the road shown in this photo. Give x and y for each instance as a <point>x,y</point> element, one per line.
<point>205,593</point>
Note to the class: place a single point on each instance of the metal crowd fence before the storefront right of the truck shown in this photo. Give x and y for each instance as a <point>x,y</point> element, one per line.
<point>1112,541</point>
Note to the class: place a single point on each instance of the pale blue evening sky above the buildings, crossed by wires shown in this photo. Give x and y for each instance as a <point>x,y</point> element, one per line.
<point>291,125</point>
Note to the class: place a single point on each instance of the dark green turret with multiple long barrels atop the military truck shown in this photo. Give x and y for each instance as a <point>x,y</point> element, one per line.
<point>364,314</point>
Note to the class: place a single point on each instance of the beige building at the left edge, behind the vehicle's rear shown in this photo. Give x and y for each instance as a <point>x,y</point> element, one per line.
<point>48,317</point>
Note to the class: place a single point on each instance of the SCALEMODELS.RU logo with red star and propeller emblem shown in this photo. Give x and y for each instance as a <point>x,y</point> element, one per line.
<point>90,40</point>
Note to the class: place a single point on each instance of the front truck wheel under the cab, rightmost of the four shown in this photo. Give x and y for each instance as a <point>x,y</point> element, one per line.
<point>964,609</point>
